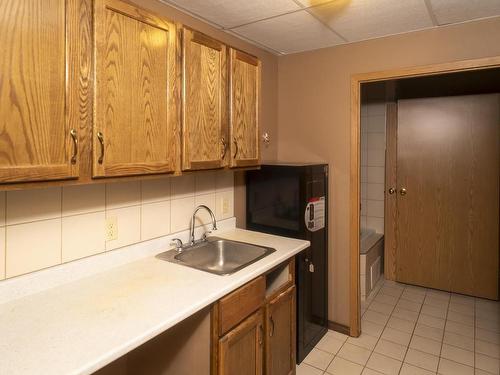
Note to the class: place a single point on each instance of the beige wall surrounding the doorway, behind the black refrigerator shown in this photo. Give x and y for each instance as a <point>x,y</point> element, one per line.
<point>314,107</point>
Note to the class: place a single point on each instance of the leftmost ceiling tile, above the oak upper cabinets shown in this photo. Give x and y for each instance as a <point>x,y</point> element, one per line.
<point>232,13</point>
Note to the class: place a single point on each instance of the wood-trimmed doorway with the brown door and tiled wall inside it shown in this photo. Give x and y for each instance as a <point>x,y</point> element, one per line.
<point>376,226</point>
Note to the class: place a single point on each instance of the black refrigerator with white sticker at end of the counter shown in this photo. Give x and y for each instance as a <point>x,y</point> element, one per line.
<point>291,200</point>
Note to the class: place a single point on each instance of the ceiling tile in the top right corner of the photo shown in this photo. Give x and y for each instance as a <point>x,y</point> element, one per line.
<point>452,11</point>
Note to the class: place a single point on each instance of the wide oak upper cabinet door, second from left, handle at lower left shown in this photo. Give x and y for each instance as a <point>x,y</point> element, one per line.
<point>136,119</point>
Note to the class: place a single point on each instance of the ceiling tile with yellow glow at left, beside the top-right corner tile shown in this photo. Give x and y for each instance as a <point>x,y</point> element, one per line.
<point>365,19</point>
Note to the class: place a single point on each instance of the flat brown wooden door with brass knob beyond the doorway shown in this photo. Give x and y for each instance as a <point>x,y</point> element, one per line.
<point>448,164</point>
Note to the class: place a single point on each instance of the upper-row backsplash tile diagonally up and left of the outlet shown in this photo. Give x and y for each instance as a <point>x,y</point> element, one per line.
<point>83,199</point>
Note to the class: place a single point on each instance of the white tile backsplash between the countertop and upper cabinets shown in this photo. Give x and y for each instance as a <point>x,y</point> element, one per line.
<point>45,227</point>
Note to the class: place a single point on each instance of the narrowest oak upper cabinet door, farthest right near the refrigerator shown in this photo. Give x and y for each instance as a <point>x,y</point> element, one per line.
<point>244,108</point>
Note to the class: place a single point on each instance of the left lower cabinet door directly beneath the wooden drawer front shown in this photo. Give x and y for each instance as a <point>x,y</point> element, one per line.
<point>241,350</point>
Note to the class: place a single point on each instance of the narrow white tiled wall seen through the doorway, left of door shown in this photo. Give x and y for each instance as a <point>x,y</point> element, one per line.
<point>372,166</point>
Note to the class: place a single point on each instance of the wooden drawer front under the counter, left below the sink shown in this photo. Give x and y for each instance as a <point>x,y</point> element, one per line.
<point>236,306</point>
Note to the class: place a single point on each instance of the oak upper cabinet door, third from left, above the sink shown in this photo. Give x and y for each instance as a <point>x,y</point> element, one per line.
<point>204,102</point>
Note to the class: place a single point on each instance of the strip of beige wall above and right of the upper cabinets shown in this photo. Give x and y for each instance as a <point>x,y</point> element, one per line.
<point>268,118</point>
